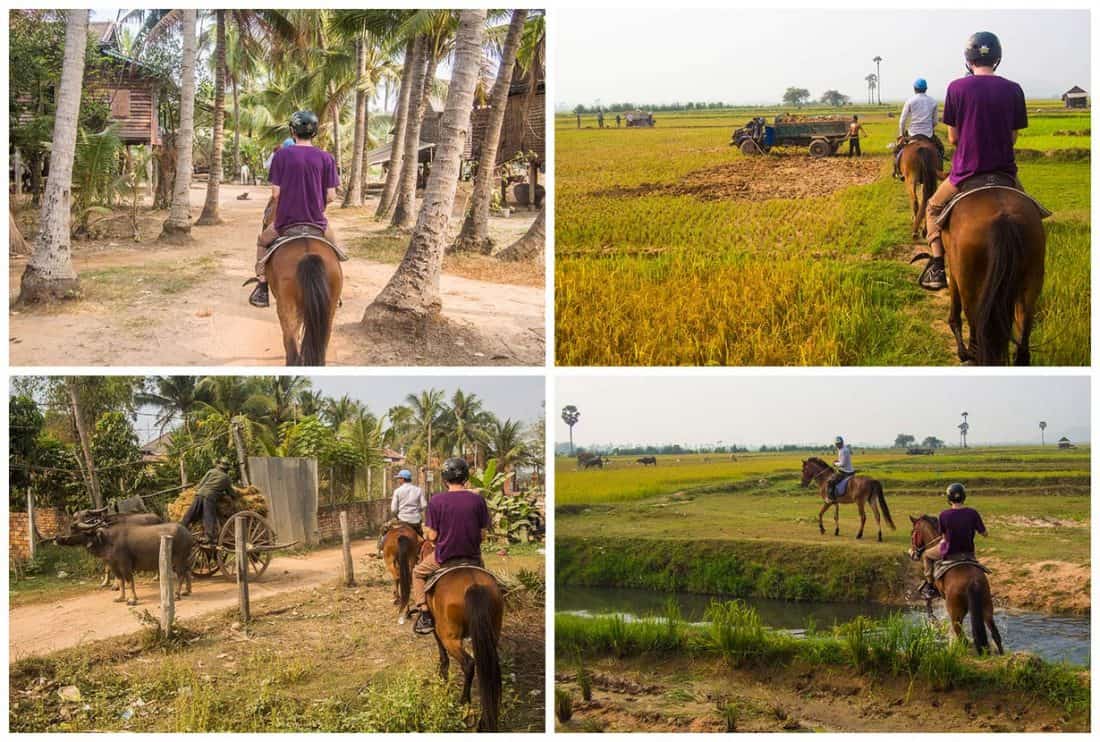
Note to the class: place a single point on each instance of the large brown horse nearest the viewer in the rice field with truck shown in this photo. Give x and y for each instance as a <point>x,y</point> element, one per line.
<point>996,249</point>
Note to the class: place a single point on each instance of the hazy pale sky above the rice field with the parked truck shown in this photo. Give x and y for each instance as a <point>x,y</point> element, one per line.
<point>752,57</point>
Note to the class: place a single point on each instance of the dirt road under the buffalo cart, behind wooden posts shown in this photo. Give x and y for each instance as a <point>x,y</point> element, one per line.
<point>42,628</point>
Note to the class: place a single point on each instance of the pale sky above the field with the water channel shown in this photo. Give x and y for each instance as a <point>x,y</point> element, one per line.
<point>866,411</point>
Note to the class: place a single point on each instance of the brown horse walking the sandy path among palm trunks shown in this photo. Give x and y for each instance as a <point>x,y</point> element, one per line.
<point>306,281</point>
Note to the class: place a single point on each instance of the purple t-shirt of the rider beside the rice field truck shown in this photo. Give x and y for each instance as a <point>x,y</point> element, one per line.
<point>985,110</point>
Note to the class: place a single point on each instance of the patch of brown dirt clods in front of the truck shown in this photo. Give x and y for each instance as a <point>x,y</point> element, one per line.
<point>764,180</point>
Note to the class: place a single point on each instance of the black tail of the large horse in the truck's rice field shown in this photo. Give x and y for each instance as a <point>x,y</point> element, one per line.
<point>1002,286</point>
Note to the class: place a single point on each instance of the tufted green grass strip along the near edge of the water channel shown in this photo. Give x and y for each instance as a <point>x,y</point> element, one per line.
<point>917,655</point>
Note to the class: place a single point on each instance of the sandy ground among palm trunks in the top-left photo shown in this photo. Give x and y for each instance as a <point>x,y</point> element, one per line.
<point>153,305</point>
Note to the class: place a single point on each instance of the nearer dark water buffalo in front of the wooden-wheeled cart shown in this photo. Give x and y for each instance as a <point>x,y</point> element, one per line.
<point>128,548</point>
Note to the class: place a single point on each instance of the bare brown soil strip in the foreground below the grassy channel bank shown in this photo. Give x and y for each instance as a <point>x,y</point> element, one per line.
<point>686,696</point>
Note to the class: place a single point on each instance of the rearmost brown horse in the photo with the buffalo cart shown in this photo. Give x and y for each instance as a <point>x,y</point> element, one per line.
<point>468,603</point>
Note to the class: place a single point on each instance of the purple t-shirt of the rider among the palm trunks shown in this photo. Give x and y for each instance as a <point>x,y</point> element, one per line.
<point>303,175</point>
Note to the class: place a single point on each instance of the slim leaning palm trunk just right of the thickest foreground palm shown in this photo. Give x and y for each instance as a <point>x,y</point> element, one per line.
<point>475,235</point>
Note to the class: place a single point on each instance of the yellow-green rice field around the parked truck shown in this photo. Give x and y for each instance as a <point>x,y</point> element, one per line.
<point>674,249</point>
